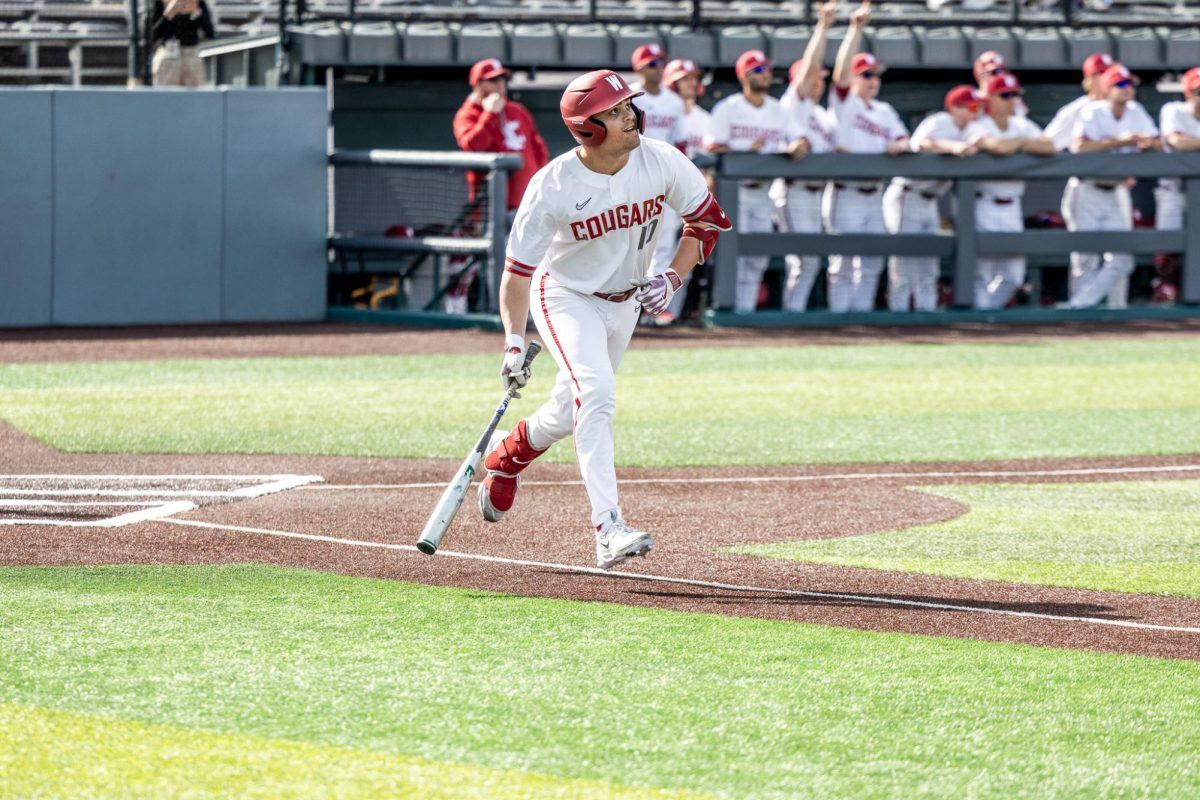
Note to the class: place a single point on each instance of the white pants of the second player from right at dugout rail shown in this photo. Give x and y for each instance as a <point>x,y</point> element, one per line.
<point>1108,275</point>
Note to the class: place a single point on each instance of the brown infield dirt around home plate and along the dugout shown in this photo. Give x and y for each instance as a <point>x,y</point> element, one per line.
<point>691,520</point>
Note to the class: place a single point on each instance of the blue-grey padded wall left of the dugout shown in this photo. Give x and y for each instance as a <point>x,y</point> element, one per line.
<point>163,207</point>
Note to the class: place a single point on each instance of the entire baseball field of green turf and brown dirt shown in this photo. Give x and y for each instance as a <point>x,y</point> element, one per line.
<point>957,563</point>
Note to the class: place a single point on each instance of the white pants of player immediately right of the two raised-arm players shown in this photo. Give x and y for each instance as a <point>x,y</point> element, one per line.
<point>911,276</point>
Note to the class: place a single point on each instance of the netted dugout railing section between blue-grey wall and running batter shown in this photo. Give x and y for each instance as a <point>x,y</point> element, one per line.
<point>409,216</point>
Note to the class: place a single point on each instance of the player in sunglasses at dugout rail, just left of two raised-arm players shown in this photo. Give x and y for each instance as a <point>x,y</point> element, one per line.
<point>754,122</point>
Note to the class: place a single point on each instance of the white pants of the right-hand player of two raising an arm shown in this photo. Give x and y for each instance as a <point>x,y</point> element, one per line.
<point>854,280</point>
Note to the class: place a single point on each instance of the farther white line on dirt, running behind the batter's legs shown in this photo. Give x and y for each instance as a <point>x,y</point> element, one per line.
<point>788,479</point>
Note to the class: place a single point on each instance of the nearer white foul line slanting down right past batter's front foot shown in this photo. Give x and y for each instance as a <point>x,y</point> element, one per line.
<point>689,582</point>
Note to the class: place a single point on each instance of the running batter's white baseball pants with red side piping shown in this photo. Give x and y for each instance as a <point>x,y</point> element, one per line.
<point>587,338</point>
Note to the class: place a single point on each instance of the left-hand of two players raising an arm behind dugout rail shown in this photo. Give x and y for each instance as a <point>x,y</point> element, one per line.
<point>799,203</point>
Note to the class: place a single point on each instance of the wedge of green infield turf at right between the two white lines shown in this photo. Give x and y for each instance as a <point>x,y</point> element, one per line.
<point>1131,537</point>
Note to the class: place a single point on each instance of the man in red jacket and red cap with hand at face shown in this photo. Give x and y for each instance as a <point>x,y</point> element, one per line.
<point>488,122</point>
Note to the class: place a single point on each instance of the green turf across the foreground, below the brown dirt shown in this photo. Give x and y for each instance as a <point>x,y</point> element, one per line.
<point>394,676</point>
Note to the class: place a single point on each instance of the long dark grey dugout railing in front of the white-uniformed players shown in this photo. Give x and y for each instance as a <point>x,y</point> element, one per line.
<point>964,244</point>
